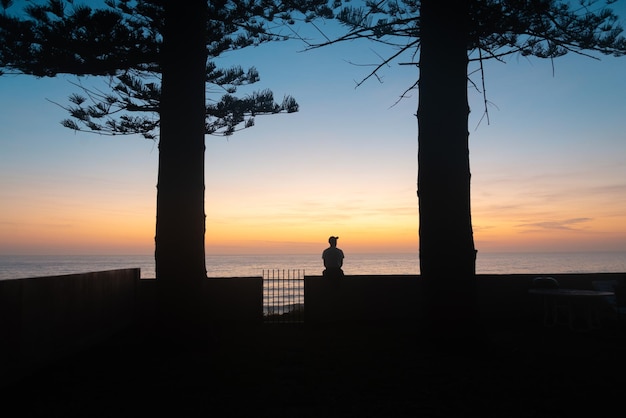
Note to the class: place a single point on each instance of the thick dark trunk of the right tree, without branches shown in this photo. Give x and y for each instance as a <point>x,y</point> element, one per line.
<point>447,254</point>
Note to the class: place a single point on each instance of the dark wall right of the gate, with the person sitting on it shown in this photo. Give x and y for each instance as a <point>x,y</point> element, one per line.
<point>399,297</point>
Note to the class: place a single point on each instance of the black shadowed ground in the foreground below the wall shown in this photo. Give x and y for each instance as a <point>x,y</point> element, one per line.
<point>338,370</point>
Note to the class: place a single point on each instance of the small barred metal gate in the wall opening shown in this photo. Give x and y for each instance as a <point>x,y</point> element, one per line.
<point>283,296</point>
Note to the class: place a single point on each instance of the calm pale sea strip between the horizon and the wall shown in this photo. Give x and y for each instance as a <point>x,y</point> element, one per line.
<point>22,266</point>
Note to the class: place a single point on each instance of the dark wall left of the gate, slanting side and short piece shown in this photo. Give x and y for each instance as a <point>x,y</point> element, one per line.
<point>45,318</point>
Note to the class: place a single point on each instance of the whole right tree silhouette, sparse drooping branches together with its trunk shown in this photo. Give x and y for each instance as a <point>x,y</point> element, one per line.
<point>442,39</point>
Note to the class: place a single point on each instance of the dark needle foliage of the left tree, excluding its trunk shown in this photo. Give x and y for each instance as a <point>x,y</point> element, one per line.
<point>59,37</point>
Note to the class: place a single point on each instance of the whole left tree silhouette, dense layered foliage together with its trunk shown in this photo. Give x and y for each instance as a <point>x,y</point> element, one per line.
<point>158,60</point>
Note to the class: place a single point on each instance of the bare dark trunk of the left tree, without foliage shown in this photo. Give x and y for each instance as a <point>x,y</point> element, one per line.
<point>180,225</point>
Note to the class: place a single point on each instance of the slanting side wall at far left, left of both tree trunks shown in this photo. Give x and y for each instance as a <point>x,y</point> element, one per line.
<point>43,318</point>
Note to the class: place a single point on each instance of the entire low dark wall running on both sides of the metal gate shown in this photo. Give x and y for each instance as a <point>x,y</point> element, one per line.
<point>44,318</point>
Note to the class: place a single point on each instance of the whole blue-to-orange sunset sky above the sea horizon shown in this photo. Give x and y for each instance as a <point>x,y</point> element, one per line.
<point>548,170</point>
